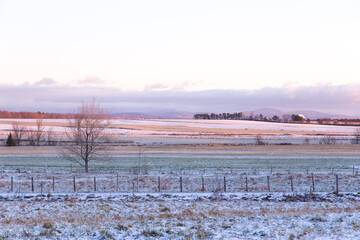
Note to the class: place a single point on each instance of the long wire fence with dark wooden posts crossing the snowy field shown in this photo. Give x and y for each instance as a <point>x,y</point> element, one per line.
<point>107,183</point>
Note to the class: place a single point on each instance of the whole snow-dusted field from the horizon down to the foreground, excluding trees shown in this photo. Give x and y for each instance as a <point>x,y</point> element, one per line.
<point>185,179</point>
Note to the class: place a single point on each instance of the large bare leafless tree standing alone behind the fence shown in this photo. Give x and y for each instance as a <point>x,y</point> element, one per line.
<point>87,133</point>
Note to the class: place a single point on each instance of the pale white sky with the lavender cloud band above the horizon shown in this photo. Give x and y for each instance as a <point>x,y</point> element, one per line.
<point>198,55</point>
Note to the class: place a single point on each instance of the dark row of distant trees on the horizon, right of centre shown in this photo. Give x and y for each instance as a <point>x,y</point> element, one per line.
<point>251,116</point>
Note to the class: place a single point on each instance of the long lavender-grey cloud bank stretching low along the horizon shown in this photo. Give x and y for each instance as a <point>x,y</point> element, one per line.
<point>342,99</point>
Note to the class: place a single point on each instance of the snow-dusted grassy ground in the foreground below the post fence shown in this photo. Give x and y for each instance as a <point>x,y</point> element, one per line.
<point>179,216</point>
